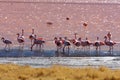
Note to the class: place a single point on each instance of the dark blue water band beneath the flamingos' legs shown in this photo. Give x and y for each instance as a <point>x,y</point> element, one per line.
<point>53,53</point>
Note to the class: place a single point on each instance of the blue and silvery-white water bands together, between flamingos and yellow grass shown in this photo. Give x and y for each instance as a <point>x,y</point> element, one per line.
<point>47,58</point>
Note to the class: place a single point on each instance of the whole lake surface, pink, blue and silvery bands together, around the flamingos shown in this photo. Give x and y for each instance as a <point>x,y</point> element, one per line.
<point>101,18</point>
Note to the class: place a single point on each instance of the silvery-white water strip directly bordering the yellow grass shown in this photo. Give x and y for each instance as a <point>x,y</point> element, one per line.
<point>111,62</point>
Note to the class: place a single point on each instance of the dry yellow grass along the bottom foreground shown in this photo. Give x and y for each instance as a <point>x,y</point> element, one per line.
<point>16,72</point>
